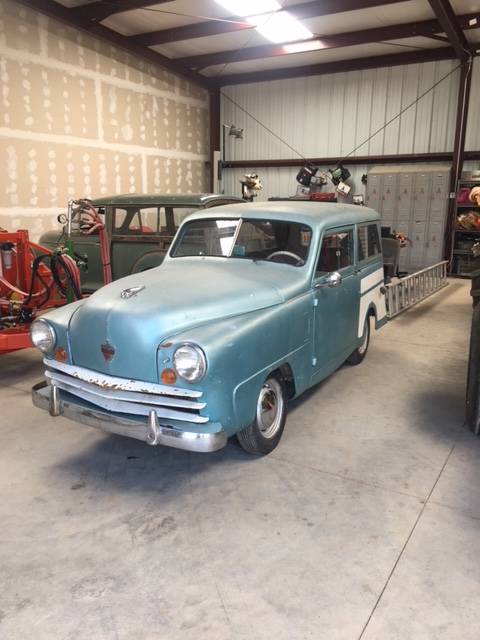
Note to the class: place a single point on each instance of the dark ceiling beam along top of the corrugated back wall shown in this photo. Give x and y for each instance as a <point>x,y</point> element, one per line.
<point>355,64</point>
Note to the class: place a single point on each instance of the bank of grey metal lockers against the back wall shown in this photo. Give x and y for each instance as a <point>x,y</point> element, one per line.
<point>412,199</point>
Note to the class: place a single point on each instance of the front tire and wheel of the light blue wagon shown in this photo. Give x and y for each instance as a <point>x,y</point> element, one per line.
<point>264,433</point>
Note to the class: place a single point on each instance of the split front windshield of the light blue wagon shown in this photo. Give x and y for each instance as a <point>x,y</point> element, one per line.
<point>274,240</point>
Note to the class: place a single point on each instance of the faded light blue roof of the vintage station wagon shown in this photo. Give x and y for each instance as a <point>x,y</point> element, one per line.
<point>313,214</point>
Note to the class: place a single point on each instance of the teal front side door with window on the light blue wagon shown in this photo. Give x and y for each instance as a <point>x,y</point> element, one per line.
<point>335,308</point>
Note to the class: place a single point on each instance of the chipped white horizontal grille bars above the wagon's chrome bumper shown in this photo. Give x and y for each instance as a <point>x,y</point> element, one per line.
<point>121,395</point>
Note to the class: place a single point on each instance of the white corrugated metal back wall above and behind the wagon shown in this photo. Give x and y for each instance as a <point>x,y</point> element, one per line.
<point>329,115</point>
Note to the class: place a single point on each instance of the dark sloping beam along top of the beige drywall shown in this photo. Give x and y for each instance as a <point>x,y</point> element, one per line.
<point>62,13</point>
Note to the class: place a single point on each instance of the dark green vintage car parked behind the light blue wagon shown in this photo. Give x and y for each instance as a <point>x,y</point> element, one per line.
<point>140,228</point>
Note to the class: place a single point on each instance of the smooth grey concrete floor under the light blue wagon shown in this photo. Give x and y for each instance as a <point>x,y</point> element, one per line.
<point>363,524</point>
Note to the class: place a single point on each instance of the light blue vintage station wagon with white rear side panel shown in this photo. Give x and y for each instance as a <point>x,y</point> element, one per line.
<point>254,304</point>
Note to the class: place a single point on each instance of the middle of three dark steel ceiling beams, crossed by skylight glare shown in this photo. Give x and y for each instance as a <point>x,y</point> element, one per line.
<point>367,36</point>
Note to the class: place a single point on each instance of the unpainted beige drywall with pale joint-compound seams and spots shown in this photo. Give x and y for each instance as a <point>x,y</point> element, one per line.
<point>80,118</point>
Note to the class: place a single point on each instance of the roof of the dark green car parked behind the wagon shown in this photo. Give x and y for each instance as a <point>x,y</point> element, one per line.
<point>178,199</point>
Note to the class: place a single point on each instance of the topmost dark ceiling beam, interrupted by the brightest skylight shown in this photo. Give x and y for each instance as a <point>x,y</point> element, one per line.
<point>215,27</point>
